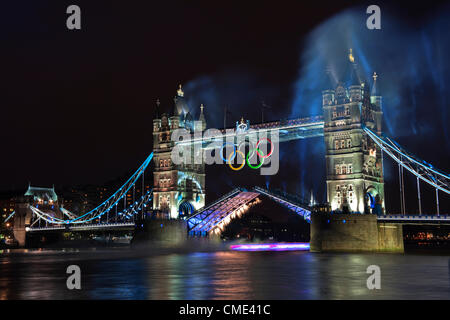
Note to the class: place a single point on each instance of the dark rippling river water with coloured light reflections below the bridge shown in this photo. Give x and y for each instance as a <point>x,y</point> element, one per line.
<point>126,274</point>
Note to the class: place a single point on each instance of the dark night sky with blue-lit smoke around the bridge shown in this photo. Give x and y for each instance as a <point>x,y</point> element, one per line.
<point>77,106</point>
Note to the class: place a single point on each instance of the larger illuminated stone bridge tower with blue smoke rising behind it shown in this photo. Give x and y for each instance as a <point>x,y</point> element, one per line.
<point>353,161</point>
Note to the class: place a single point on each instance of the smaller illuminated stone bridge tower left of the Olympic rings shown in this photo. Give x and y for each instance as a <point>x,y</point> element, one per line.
<point>177,189</point>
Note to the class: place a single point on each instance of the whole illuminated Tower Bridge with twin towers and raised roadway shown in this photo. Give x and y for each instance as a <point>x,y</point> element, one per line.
<point>351,126</point>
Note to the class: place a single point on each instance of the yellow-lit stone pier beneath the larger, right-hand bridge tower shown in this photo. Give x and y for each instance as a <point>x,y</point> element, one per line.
<point>354,233</point>
